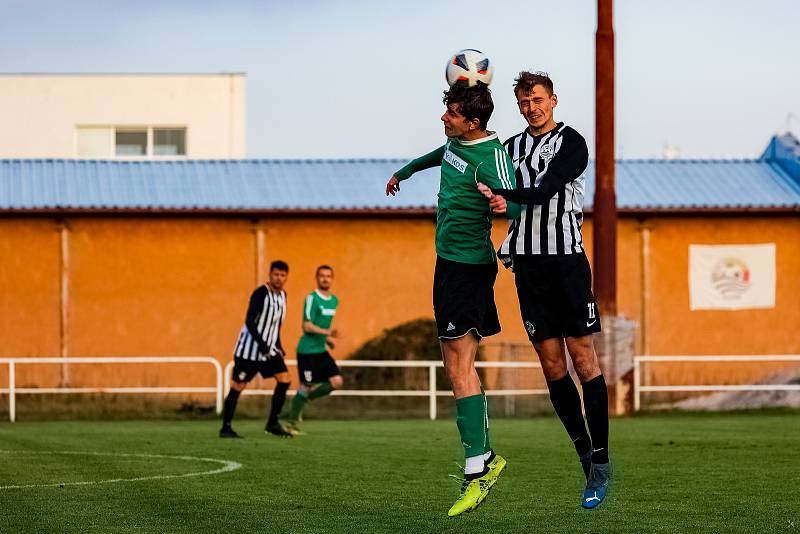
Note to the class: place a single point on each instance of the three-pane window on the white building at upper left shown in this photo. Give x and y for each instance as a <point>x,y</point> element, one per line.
<point>130,141</point>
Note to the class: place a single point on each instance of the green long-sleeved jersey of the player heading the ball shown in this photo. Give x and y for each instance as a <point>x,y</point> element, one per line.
<point>463,216</point>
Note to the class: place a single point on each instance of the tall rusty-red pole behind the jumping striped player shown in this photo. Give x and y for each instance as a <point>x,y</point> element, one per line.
<point>604,218</point>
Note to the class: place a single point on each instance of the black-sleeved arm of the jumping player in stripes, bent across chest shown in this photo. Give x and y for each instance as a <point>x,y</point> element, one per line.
<point>567,164</point>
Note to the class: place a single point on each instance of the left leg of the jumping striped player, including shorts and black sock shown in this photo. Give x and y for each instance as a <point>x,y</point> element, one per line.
<point>538,293</point>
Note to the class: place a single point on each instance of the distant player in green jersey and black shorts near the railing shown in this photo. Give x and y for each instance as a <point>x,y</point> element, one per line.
<point>319,374</point>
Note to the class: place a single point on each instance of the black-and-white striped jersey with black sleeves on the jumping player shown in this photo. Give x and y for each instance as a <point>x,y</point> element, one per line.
<point>550,187</point>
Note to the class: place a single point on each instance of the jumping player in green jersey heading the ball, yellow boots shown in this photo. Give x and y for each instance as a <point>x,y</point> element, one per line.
<point>466,268</point>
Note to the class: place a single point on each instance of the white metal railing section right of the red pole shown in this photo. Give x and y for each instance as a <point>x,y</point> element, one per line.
<point>638,388</point>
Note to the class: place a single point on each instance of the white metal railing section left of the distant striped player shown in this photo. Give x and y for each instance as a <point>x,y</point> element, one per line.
<point>13,390</point>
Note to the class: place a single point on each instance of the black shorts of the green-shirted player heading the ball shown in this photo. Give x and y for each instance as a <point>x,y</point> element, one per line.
<point>463,299</point>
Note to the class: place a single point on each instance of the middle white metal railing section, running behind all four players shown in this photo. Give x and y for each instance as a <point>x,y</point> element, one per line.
<point>432,392</point>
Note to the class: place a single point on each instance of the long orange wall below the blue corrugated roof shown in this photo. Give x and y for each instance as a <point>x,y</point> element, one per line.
<point>180,286</point>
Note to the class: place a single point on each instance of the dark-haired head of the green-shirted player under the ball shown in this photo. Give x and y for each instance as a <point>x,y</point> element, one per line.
<point>468,109</point>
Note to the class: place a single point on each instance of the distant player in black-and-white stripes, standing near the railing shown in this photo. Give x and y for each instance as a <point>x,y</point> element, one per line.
<point>259,350</point>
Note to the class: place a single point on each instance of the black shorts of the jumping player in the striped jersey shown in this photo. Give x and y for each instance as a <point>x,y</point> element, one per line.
<point>555,296</point>
